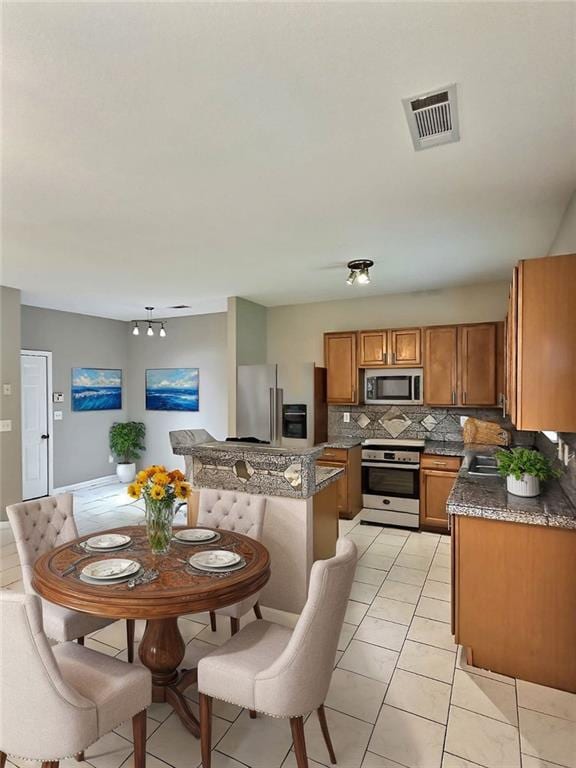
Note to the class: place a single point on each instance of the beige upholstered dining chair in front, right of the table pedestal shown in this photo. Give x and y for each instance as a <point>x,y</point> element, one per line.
<point>279,671</point>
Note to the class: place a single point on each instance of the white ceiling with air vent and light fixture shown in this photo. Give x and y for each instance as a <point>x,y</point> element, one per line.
<point>173,153</point>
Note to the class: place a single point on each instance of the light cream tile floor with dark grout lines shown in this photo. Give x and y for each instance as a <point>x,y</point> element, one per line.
<point>401,695</point>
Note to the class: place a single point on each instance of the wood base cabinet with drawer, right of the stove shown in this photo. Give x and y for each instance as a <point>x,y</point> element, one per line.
<point>437,476</point>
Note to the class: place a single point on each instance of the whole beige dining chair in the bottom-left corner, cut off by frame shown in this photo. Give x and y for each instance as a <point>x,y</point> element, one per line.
<point>58,701</point>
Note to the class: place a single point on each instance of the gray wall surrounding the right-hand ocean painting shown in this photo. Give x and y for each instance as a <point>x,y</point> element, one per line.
<point>192,342</point>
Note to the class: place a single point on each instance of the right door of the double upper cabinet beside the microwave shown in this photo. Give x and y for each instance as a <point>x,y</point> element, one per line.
<point>478,356</point>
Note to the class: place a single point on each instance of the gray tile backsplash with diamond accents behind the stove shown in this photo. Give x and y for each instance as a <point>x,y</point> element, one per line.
<point>412,422</point>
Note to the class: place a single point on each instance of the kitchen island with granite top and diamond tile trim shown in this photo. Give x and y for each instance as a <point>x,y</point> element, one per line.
<point>301,523</point>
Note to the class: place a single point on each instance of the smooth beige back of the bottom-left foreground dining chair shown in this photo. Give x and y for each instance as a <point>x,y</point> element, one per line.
<point>43,718</point>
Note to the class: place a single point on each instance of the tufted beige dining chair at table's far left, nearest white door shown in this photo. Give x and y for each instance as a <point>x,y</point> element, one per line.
<point>38,527</point>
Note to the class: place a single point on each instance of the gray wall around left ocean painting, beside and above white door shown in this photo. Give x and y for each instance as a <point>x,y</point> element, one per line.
<point>80,440</point>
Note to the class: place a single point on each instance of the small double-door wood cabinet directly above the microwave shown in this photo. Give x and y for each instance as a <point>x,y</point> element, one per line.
<point>396,348</point>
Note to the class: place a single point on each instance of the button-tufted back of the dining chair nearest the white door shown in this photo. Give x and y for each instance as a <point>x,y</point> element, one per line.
<point>38,527</point>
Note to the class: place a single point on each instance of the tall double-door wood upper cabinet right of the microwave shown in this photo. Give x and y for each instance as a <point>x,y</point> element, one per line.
<point>463,365</point>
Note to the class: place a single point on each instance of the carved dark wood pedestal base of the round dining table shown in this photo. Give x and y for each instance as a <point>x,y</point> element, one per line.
<point>162,650</point>
